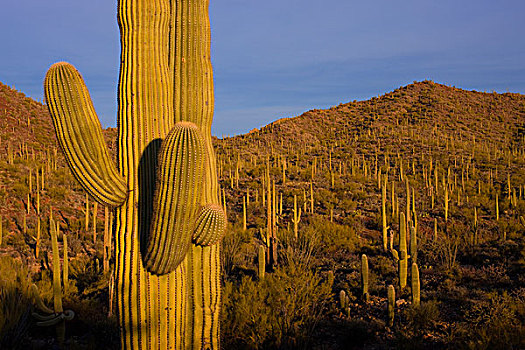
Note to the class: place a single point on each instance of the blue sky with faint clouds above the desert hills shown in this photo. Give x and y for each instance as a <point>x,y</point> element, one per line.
<point>279,58</point>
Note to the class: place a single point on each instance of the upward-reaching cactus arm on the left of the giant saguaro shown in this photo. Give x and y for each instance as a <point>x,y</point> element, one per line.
<point>80,135</point>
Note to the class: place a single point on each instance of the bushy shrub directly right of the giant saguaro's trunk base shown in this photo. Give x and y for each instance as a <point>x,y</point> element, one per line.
<point>279,311</point>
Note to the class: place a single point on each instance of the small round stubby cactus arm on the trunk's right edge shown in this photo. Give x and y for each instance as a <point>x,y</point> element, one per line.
<point>210,225</point>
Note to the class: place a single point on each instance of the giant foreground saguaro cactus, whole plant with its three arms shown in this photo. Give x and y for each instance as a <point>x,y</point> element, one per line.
<point>168,218</point>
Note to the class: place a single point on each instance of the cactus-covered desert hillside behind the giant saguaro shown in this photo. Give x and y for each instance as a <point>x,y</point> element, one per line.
<point>395,222</point>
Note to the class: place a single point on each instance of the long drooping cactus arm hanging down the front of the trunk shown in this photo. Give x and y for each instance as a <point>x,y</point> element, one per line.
<point>179,186</point>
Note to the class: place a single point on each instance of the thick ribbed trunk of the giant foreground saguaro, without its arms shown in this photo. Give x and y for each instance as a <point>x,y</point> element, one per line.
<point>168,86</point>
